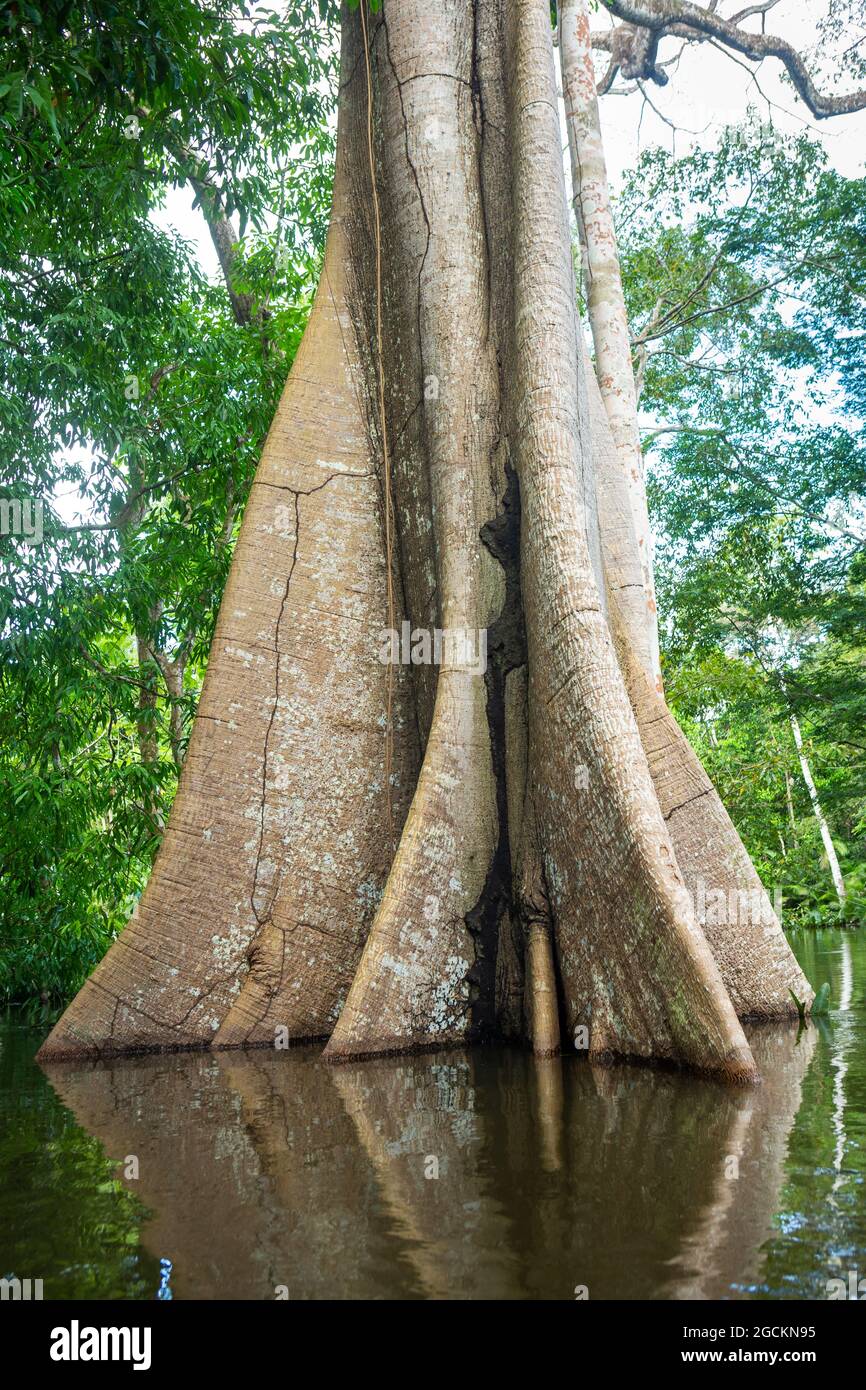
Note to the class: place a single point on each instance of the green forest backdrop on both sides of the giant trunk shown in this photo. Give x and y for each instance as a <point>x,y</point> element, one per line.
<point>138,394</point>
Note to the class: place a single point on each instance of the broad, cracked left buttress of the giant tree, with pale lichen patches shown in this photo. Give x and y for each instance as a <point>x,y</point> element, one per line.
<point>277,847</point>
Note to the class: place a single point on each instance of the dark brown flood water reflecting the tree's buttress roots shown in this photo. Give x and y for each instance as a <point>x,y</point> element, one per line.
<point>465,1175</point>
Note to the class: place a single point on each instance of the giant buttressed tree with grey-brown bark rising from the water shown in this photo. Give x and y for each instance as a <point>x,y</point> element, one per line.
<point>505,833</point>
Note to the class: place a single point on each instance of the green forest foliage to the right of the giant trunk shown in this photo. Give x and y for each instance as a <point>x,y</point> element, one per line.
<point>744,273</point>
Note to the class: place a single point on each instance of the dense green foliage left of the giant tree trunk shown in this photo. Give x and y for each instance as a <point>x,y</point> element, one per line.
<point>134,407</point>
